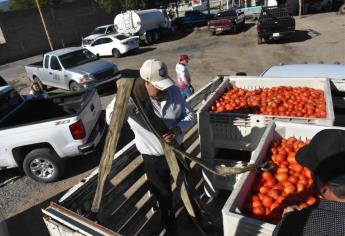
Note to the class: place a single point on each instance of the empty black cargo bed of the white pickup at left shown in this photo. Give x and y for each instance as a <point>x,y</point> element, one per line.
<point>54,107</point>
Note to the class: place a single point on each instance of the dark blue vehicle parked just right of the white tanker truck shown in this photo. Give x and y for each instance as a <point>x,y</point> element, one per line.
<point>193,18</point>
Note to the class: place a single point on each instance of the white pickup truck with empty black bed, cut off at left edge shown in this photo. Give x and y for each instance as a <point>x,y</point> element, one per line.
<point>37,134</point>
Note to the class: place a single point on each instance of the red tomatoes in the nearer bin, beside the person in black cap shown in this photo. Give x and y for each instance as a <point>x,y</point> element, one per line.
<point>289,184</point>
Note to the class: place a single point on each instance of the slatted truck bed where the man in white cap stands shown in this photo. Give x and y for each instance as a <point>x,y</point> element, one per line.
<point>128,206</point>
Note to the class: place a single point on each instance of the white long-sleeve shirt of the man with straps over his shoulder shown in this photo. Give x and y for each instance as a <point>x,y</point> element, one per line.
<point>173,110</point>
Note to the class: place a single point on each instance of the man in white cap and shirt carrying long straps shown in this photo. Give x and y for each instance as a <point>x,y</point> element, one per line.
<point>170,106</point>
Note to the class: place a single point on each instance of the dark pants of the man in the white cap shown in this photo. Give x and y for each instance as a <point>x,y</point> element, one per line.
<point>158,175</point>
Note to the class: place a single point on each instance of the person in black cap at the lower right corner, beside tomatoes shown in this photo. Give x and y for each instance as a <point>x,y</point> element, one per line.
<point>325,157</point>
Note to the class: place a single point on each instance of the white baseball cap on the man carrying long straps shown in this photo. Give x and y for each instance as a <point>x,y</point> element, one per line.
<point>156,72</point>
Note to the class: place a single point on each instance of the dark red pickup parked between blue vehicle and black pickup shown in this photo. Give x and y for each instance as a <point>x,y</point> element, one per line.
<point>227,20</point>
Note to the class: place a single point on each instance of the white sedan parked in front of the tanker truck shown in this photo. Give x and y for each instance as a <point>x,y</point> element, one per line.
<point>116,45</point>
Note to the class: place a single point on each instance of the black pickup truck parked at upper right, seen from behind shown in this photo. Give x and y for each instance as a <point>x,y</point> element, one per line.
<point>274,23</point>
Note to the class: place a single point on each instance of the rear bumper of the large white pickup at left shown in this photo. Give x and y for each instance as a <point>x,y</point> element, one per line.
<point>95,136</point>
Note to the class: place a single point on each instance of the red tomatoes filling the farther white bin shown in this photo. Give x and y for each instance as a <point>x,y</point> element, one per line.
<point>277,101</point>
